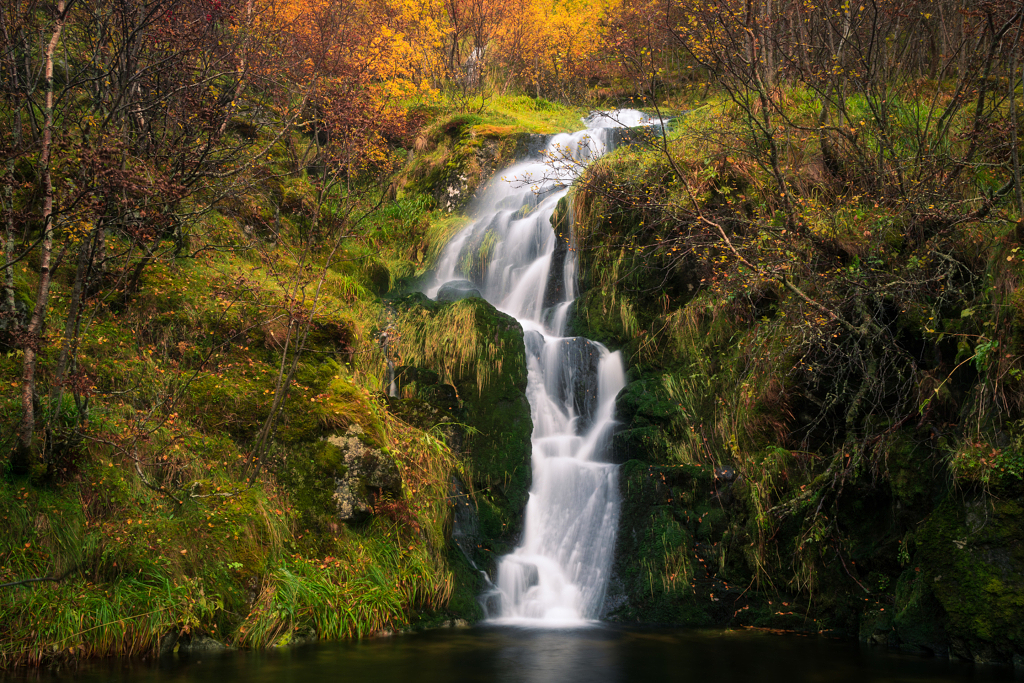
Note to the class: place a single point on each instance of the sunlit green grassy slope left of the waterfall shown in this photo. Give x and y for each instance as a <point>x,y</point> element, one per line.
<point>153,520</point>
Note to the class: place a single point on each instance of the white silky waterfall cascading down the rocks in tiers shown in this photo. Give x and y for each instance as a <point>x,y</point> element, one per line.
<point>560,574</point>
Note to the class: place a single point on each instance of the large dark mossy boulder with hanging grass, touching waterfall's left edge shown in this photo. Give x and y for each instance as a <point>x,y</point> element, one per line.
<point>468,368</point>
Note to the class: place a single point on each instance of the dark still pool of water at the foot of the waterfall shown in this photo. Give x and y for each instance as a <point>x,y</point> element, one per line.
<point>602,655</point>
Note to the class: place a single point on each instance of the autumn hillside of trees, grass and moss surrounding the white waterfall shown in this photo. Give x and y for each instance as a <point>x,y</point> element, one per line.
<point>215,219</point>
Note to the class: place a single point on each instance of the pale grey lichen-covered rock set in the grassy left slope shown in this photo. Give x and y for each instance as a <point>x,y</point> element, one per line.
<point>366,476</point>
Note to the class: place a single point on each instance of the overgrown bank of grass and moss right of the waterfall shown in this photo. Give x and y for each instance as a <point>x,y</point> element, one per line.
<point>825,380</point>
